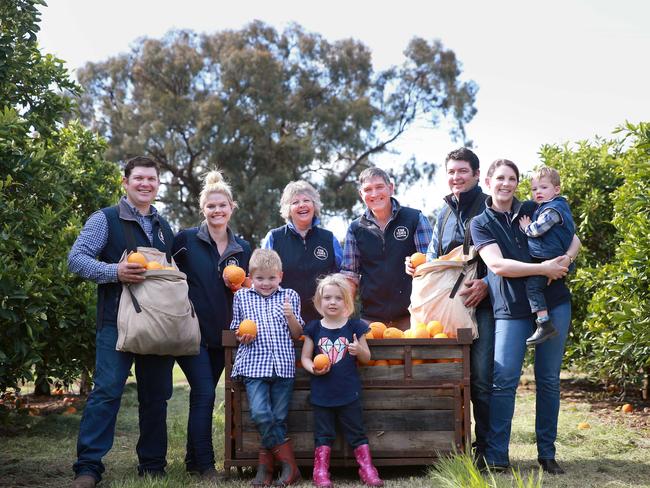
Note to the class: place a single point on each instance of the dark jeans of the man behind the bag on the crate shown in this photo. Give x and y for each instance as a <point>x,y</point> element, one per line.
<point>482,366</point>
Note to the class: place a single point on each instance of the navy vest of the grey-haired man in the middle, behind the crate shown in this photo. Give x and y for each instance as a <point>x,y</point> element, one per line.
<point>385,288</point>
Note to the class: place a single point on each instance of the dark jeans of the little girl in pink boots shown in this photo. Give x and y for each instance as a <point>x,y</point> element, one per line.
<point>350,417</point>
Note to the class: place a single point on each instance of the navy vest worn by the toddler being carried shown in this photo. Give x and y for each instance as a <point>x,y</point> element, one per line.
<point>557,239</point>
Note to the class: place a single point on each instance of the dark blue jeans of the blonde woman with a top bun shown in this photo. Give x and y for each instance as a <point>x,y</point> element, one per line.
<point>202,372</point>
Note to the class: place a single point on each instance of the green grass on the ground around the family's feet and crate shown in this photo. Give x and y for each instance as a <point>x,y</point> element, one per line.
<point>609,454</point>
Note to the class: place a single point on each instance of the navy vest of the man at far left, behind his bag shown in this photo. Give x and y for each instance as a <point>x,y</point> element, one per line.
<point>108,295</point>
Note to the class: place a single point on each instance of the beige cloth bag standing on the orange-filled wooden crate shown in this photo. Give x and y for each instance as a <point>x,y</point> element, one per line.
<point>435,291</point>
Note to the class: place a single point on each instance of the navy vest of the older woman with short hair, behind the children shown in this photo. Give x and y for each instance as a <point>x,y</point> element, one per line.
<point>303,262</point>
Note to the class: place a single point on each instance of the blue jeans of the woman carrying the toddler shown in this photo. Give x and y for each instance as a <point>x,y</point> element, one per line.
<point>509,351</point>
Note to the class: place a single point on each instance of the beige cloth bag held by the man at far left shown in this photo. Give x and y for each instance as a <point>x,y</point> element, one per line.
<point>156,316</point>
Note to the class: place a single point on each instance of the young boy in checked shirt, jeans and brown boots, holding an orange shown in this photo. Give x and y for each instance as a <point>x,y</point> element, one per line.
<point>266,362</point>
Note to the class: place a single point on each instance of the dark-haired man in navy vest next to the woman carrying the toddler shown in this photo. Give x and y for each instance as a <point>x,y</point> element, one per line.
<point>466,201</point>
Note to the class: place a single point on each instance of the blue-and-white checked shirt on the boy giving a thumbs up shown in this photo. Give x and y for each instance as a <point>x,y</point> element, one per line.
<point>272,352</point>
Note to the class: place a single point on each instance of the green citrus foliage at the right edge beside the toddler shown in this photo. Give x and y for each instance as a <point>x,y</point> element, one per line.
<point>608,186</point>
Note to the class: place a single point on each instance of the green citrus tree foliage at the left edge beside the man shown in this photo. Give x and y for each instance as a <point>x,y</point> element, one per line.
<point>51,177</point>
